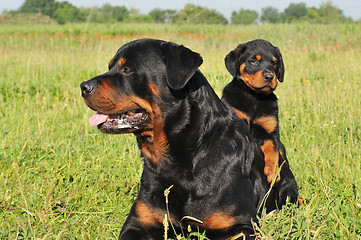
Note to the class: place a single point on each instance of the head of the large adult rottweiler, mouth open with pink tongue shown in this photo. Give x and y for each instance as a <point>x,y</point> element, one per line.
<point>129,97</point>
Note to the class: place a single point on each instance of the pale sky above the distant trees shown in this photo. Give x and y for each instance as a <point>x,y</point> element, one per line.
<point>350,8</point>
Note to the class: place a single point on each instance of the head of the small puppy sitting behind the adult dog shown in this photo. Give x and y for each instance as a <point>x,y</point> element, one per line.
<point>258,64</point>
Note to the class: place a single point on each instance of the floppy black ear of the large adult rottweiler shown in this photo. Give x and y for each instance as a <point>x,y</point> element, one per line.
<point>181,64</point>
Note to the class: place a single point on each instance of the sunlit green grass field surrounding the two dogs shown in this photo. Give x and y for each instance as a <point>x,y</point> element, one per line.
<point>62,179</point>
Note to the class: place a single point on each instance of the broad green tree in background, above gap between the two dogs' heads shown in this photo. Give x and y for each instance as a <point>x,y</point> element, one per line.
<point>197,15</point>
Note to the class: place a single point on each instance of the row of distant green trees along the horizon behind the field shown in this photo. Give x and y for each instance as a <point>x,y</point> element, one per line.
<point>64,12</point>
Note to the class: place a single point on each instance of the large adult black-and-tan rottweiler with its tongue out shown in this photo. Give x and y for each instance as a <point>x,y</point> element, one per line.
<point>188,138</point>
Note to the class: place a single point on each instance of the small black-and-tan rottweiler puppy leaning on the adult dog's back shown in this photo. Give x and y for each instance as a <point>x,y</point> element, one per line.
<point>256,66</point>
